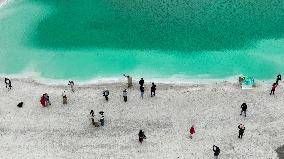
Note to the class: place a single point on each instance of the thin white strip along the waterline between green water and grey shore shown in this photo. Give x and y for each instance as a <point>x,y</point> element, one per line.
<point>37,78</point>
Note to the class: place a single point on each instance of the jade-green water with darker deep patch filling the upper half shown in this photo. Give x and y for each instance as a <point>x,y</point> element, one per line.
<point>84,39</point>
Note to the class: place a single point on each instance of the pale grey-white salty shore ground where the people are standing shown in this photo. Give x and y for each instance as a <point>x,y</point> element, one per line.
<point>61,131</point>
